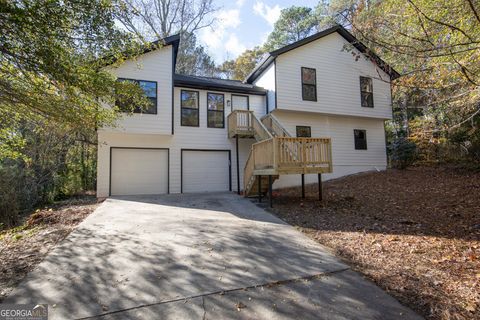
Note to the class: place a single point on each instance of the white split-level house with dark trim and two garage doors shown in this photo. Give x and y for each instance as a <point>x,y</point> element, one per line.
<point>315,108</point>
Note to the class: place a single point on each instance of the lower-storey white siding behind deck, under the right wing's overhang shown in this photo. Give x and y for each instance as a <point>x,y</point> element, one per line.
<point>346,160</point>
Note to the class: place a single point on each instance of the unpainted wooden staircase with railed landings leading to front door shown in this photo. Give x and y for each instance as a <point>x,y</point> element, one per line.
<point>276,152</point>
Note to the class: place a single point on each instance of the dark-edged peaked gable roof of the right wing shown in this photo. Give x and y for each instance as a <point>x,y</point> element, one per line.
<point>270,57</point>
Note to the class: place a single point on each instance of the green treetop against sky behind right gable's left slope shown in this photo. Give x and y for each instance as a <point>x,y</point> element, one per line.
<point>295,23</point>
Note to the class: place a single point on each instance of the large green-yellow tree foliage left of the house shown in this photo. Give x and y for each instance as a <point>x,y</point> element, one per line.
<point>52,93</point>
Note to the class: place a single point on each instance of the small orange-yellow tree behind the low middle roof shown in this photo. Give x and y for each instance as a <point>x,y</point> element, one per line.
<point>239,68</point>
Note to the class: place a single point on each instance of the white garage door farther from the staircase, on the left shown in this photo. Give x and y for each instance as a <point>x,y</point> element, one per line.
<point>138,171</point>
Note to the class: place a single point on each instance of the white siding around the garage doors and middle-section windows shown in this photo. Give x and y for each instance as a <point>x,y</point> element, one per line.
<point>184,138</point>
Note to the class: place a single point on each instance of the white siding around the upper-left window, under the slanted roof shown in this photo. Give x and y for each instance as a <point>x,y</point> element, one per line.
<point>152,66</point>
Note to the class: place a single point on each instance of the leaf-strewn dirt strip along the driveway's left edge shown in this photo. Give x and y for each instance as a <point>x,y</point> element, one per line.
<point>22,248</point>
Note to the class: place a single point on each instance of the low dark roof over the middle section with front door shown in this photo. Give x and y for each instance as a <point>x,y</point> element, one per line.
<point>207,83</point>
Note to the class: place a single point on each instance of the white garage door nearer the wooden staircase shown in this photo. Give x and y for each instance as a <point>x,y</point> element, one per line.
<point>205,171</point>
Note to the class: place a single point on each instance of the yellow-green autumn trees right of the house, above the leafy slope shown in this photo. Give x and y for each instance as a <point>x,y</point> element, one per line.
<point>435,45</point>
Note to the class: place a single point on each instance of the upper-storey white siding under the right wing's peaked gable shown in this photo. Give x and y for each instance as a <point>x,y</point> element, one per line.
<point>338,84</point>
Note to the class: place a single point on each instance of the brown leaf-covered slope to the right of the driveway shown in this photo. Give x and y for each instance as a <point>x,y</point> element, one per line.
<point>415,232</point>
